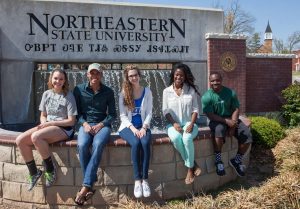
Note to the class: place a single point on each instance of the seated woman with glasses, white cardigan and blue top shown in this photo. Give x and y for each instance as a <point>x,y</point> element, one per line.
<point>135,104</point>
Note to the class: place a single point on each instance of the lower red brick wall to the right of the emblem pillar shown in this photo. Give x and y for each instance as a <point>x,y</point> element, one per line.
<point>266,78</point>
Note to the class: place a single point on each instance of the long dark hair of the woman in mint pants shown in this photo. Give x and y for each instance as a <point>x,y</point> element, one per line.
<point>189,78</point>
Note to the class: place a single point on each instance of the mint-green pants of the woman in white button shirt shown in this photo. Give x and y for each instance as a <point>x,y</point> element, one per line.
<point>183,143</point>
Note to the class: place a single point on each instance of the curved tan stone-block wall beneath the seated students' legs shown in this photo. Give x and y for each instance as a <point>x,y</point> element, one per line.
<point>115,174</point>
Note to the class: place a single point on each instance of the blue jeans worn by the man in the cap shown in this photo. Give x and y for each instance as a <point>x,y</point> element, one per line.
<point>90,159</point>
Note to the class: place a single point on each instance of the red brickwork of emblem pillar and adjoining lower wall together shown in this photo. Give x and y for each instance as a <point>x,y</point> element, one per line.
<point>257,81</point>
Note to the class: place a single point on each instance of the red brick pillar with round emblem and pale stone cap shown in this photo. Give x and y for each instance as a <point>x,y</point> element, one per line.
<point>222,46</point>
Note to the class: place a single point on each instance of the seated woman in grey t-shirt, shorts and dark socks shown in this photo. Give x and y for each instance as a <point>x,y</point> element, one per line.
<point>58,113</point>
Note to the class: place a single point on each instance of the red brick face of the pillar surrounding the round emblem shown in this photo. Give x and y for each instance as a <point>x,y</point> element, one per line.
<point>237,78</point>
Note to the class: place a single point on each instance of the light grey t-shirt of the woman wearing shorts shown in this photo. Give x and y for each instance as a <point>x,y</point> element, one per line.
<point>57,106</point>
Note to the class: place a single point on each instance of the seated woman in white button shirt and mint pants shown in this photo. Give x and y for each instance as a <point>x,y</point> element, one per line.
<point>180,107</point>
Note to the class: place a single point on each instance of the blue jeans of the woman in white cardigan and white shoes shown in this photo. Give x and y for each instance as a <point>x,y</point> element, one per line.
<point>140,152</point>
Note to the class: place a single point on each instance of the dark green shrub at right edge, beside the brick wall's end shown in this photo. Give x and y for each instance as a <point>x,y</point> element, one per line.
<point>291,108</point>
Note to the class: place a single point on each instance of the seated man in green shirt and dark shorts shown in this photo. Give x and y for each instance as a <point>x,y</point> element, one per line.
<point>221,106</point>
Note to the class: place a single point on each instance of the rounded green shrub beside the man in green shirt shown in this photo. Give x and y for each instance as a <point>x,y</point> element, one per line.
<point>266,132</point>
